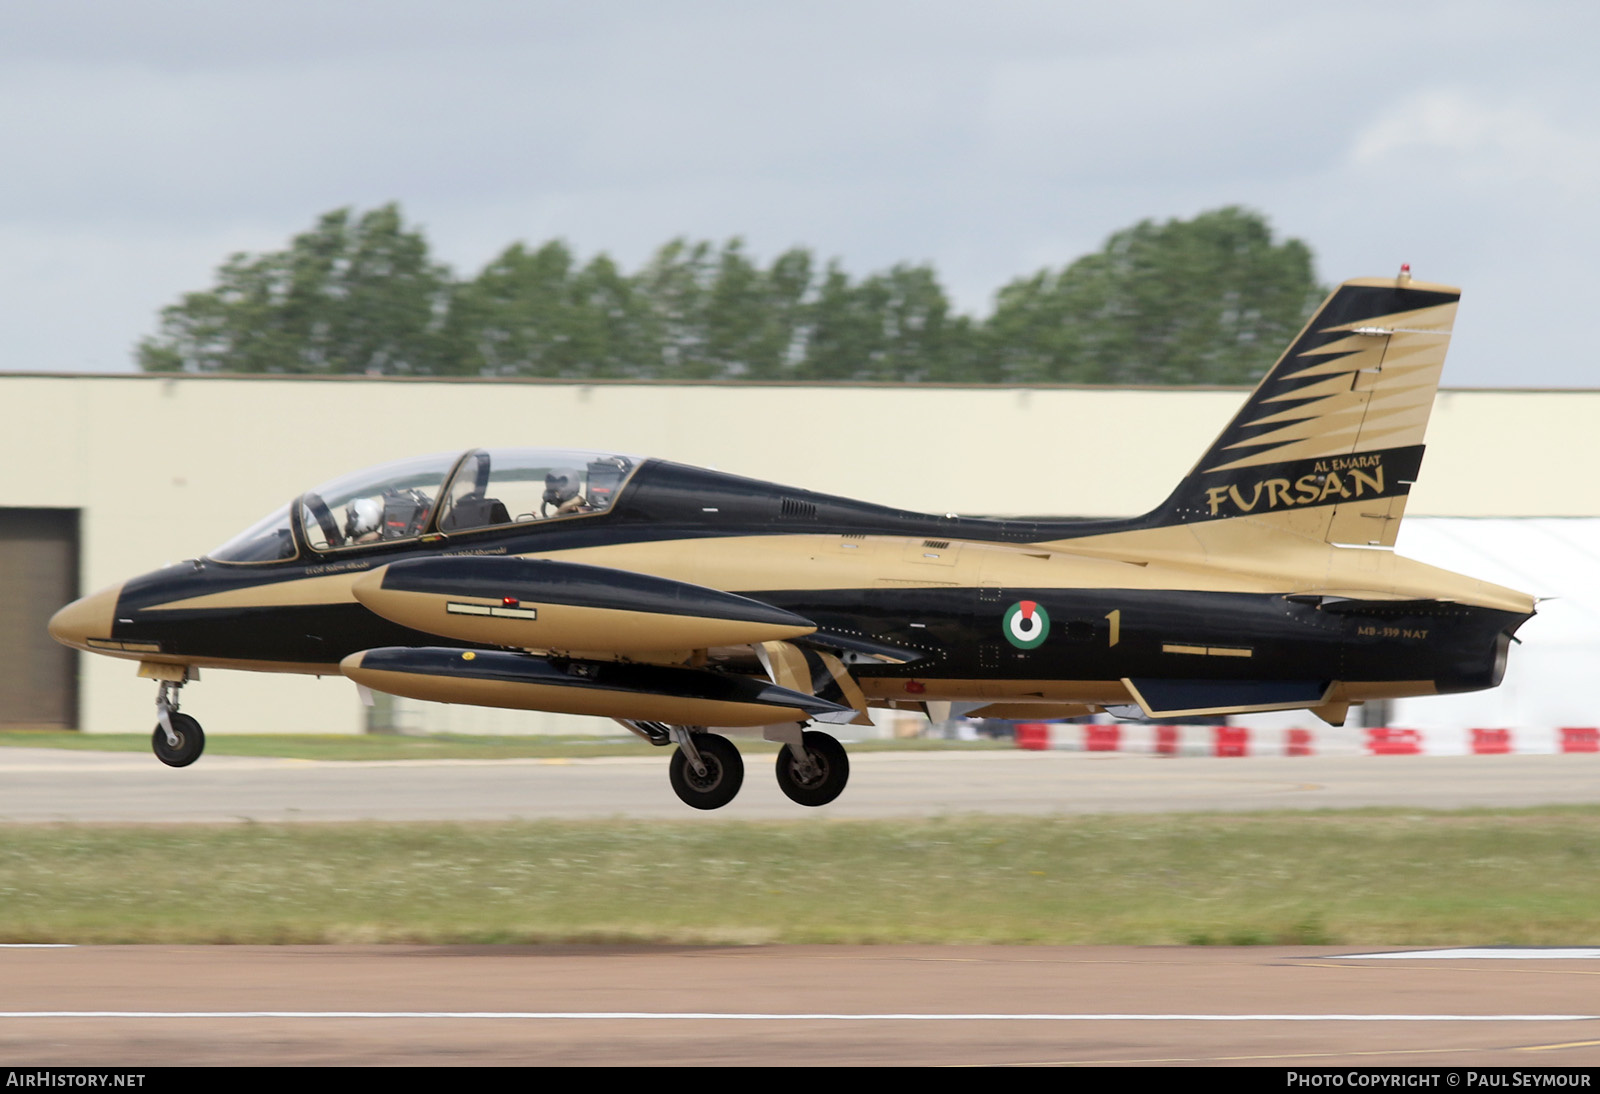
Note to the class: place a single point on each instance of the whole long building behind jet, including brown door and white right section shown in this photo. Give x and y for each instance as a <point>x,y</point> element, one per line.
<point>118,474</point>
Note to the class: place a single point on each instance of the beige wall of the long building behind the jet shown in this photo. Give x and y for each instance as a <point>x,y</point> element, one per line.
<point>169,468</point>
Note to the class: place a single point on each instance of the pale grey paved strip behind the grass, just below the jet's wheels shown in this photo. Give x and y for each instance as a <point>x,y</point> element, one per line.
<point>46,786</point>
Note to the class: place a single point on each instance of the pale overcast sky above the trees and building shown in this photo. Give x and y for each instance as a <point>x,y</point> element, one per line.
<point>142,142</point>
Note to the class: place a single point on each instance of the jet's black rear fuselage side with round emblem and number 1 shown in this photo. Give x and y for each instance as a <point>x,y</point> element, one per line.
<point>982,645</point>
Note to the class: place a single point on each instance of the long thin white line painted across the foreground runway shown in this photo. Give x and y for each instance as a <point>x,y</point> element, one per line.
<point>724,1016</point>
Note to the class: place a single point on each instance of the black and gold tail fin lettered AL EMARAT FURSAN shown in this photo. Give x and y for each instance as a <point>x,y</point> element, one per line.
<point>1330,442</point>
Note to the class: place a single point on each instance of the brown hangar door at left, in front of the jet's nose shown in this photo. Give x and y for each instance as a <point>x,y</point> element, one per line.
<point>39,573</point>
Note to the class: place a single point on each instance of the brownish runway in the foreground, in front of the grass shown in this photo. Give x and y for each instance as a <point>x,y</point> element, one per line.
<point>130,1007</point>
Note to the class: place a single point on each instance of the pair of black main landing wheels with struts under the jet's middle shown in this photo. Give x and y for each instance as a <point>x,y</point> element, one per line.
<point>708,770</point>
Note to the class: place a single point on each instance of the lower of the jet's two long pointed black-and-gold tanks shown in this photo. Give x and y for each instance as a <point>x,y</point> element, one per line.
<point>567,685</point>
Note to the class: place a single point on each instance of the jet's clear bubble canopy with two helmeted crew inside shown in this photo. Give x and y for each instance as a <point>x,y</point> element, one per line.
<point>436,495</point>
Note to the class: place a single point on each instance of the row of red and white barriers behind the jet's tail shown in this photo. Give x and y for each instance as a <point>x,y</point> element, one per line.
<point>1244,741</point>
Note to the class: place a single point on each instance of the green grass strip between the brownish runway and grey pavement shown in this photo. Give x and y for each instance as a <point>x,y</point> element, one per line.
<point>1377,877</point>
